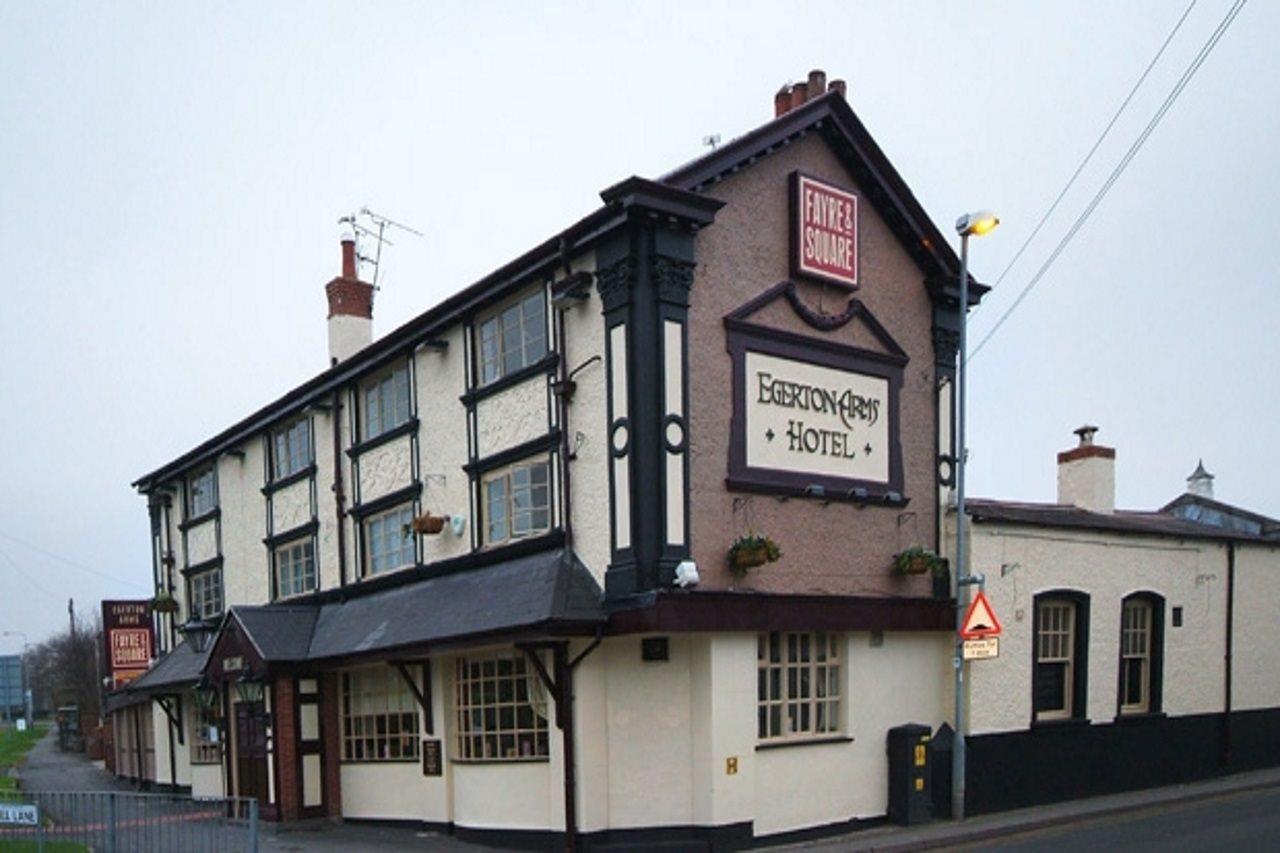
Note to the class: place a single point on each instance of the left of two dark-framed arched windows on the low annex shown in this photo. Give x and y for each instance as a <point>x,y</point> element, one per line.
<point>1060,656</point>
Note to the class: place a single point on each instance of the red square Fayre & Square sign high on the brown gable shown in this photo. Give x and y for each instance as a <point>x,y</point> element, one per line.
<point>824,232</point>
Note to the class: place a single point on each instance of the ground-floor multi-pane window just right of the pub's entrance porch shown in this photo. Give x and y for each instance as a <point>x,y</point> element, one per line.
<point>380,717</point>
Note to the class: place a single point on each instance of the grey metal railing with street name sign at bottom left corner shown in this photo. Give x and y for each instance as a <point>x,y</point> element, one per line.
<point>127,823</point>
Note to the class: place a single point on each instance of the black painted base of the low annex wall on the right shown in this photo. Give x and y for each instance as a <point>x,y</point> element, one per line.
<point>1073,760</point>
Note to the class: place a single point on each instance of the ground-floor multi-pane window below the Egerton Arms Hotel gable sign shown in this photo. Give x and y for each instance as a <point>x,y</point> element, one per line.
<point>798,685</point>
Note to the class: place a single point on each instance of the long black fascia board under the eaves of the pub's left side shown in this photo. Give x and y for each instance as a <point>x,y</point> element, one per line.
<point>582,236</point>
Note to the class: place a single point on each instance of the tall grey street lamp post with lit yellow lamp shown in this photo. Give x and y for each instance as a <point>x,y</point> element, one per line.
<point>973,225</point>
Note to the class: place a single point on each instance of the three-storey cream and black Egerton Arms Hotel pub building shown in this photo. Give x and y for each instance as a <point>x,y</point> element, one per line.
<point>612,548</point>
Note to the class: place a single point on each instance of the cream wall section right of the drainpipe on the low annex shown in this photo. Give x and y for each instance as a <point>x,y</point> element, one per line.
<point>1256,653</point>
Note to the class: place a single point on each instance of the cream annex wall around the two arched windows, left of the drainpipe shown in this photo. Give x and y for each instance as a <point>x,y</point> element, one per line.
<point>1187,574</point>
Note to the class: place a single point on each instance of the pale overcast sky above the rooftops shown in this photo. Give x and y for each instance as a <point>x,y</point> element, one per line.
<point>172,175</point>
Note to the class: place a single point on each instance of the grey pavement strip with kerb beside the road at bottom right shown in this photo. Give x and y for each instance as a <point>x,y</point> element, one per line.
<point>939,836</point>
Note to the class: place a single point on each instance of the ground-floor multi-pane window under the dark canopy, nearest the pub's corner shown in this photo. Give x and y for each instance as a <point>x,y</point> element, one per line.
<point>502,710</point>
